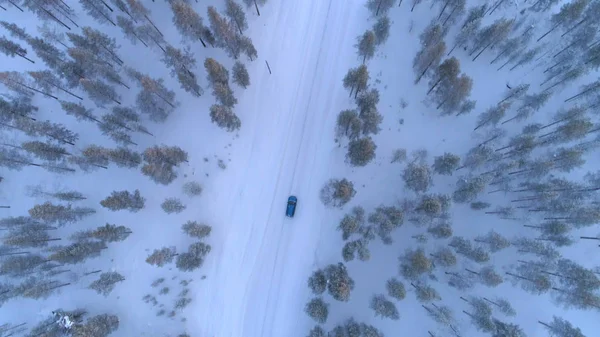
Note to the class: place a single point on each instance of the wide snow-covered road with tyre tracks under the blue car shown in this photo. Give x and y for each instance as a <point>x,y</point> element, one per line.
<point>257,275</point>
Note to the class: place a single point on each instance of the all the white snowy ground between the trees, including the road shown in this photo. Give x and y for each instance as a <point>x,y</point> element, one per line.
<point>256,273</point>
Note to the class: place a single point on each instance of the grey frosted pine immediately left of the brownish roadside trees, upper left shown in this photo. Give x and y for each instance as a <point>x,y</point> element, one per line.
<point>181,63</point>
